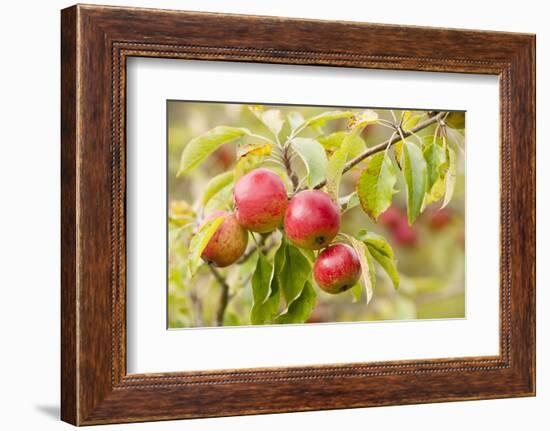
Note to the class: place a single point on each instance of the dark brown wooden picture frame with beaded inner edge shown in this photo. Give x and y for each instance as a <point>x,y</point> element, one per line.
<point>96,41</point>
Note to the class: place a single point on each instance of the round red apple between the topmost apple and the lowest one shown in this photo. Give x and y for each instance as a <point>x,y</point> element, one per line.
<point>312,219</point>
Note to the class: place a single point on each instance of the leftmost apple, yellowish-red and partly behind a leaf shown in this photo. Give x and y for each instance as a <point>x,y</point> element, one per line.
<point>228,242</point>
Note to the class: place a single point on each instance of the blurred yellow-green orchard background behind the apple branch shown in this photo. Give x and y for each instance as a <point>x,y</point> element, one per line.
<point>430,254</point>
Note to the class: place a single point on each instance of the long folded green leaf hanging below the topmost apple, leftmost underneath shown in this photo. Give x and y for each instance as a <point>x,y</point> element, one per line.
<point>265,289</point>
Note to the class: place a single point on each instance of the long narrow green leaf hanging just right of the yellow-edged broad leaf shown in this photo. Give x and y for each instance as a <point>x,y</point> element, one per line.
<point>416,179</point>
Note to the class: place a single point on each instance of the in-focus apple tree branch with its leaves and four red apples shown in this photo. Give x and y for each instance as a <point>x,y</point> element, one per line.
<point>283,222</point>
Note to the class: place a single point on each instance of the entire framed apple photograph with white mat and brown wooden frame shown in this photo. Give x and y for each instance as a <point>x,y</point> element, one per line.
<point>264,215</point>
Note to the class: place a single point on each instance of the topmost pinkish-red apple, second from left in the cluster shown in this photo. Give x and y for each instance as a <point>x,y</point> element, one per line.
<point>260,200</point>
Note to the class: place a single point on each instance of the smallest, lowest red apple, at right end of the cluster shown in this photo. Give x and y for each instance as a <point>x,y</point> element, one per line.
<point>337,268</point>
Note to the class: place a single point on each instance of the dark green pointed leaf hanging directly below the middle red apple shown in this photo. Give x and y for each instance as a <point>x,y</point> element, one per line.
<point>294,274</point>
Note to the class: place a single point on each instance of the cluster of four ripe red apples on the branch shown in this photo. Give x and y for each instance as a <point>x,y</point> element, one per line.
<point>310,219</point>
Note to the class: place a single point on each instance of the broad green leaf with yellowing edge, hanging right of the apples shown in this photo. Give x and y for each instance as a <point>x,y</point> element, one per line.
<point>376,185</point>
